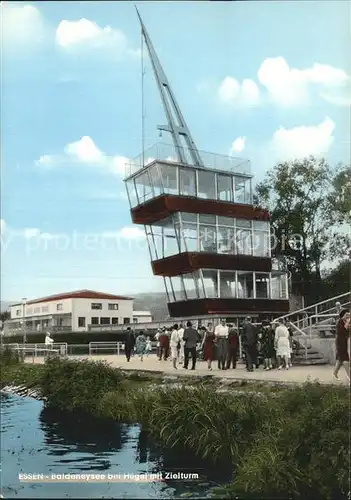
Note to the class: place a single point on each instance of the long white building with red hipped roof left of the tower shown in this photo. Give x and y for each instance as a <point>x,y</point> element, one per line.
<point>78,311</point>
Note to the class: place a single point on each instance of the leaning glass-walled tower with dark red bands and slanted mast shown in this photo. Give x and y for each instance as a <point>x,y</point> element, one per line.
<point>206,239</point>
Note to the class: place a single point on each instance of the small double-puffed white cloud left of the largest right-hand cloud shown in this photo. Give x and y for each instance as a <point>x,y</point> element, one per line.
<point>231,92</point>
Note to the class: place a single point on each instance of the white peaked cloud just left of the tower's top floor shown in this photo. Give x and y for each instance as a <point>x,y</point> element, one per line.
<point>85,152</point>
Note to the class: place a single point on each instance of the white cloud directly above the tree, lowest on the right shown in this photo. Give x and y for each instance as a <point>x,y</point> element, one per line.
<point>299,142</point>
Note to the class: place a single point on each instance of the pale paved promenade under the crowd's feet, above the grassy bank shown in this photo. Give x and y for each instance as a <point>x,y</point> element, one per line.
<point>296,374</point>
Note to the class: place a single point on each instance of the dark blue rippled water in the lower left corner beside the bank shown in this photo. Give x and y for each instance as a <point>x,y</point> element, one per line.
<point>36,440</point>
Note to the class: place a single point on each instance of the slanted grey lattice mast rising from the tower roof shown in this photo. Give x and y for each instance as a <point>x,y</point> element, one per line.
<point>176,126</point>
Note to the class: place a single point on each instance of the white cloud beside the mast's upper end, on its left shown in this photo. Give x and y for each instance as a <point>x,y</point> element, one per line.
<point>87,35</point>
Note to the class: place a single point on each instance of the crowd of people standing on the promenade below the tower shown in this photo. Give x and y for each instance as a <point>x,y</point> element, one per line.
<point>269,345</point>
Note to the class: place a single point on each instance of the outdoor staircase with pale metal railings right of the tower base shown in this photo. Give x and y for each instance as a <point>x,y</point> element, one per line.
<point>313,329</point>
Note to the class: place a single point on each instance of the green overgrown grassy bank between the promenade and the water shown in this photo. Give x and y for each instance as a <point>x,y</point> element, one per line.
<point>281,442</point>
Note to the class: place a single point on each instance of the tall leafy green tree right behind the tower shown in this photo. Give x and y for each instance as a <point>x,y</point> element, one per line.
<point>299,195</point>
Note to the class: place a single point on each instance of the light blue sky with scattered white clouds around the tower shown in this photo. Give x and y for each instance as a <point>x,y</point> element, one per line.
<point>267,81</point>
